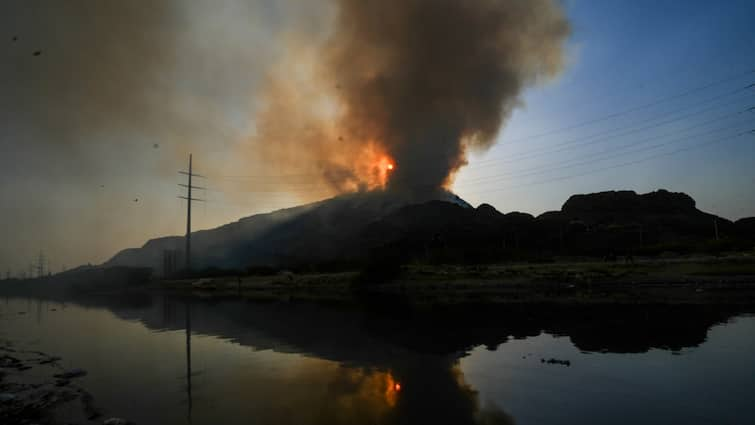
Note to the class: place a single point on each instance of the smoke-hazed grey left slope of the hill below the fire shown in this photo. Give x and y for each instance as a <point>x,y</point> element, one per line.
<point>323,232</point>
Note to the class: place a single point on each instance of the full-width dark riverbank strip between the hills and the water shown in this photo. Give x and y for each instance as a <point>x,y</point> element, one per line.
<point>688,280</point>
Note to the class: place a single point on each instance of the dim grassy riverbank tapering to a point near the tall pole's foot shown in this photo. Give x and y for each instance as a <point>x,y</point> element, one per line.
<point>727,280</point>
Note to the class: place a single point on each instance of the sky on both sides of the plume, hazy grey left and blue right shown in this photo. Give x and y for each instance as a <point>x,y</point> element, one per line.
<point>95,127</point>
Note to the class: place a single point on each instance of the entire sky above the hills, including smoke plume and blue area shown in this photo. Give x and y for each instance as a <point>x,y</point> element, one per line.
<point>284,102</point>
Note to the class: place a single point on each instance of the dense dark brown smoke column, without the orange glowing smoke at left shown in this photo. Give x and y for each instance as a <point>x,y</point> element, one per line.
<point>427,77</point>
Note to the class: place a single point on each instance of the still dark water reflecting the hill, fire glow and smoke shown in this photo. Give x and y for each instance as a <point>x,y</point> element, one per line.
<point>160,359</point>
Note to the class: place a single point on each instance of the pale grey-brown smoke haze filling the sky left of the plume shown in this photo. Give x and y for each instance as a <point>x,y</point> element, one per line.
<point>102,101</point>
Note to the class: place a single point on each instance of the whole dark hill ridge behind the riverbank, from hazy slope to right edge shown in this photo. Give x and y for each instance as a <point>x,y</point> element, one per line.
<point>367,227</point>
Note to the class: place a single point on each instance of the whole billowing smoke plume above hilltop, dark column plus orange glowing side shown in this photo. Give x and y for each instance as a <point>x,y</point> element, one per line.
<point>399,90</point>
